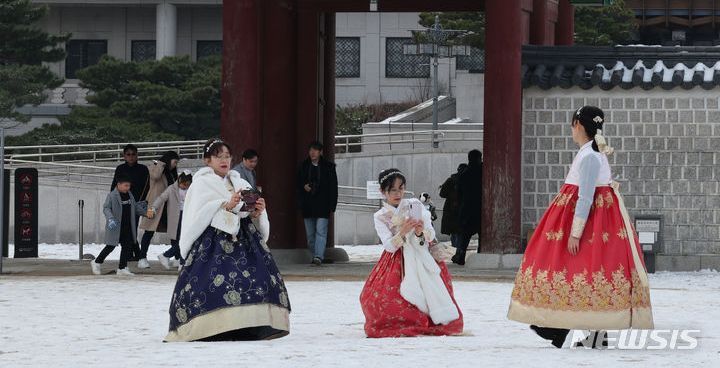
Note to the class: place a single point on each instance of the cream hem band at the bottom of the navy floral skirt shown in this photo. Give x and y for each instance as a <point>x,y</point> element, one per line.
<point>229,319</point>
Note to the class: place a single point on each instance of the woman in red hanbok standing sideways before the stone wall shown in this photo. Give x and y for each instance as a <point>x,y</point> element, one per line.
<point>583,267</point>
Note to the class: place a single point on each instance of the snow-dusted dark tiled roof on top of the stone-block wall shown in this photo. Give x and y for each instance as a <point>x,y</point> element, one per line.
<point>646,67</point>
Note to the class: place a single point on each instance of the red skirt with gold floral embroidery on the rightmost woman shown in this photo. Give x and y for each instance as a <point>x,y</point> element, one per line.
<point>603,287</point>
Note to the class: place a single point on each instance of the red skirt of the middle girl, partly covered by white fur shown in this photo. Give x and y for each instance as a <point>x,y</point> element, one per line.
<point>387,314</point>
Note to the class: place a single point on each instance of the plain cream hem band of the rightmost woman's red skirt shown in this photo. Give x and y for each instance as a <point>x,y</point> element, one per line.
<point>640,318</point>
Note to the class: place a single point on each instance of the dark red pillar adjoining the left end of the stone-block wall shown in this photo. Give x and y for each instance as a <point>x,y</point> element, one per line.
<point>503,137</point>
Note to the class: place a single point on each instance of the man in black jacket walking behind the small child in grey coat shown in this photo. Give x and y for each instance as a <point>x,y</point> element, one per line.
<point>138,175</point>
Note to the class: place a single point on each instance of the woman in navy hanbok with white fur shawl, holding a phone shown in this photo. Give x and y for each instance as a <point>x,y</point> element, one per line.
<point>229,287</point>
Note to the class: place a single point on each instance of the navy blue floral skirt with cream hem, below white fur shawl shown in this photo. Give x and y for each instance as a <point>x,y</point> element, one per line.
<point>229,289</point>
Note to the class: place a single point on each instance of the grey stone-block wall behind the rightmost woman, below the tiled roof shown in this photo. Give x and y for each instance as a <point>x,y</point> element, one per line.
<point>666,159</point>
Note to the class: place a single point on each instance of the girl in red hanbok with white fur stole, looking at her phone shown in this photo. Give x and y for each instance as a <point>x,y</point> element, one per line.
<point>408,292</point>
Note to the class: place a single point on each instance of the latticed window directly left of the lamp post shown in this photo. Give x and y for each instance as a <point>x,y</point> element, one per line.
<point>399,65</point>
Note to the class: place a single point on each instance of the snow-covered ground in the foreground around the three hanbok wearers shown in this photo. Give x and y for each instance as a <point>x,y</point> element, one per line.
<point>108,321</point>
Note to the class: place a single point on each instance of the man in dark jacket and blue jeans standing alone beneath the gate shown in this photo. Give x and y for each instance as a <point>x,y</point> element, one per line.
<point>317,193</point>
